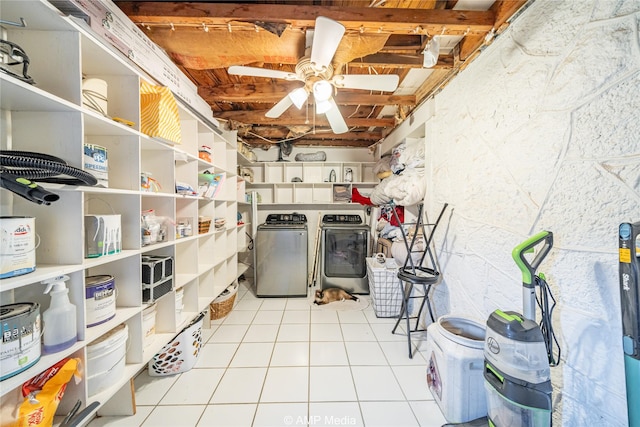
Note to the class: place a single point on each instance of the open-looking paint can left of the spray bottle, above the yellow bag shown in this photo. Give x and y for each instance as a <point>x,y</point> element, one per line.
<point>20,346</point>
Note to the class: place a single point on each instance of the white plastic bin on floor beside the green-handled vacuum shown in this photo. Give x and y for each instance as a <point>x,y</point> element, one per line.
<point>455,352</point>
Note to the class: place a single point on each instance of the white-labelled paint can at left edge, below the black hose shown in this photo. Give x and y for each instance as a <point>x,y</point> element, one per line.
<point>18,250</point>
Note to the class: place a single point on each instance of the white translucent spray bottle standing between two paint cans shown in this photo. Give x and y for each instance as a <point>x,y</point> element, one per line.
<point>60,329</point>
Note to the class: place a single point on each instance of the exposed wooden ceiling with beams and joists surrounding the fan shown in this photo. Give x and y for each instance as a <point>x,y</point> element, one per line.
<point>382,37</point>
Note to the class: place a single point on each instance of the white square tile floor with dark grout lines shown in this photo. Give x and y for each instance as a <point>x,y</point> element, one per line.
<point>285,362</point>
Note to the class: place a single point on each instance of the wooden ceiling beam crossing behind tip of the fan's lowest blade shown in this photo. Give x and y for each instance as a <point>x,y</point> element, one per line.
<point>299,118</point>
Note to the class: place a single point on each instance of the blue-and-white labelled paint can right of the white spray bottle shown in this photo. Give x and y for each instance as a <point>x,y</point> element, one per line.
<point>100,296</point>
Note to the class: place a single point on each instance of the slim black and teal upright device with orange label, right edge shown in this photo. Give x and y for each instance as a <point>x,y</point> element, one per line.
<point>629,242</point>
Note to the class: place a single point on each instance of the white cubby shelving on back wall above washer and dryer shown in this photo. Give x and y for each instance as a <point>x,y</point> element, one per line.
<point>306,183</point>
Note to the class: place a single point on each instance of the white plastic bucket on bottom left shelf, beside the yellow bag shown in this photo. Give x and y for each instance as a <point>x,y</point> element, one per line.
<point>106,359</point>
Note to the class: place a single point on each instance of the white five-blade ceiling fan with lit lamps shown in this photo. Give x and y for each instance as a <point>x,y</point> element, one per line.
<point>317,73</point>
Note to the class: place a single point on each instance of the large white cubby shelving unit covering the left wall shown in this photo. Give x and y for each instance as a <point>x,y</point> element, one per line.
<point>49,117</point>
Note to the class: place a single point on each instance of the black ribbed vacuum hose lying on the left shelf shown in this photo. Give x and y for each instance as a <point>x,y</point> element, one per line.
<point>19,168</point>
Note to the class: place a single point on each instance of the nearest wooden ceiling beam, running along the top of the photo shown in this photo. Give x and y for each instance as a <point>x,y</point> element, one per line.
<point>385,20</point>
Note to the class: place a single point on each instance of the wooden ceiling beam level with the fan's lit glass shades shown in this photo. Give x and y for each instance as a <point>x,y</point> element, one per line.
<point>270,93</point>
